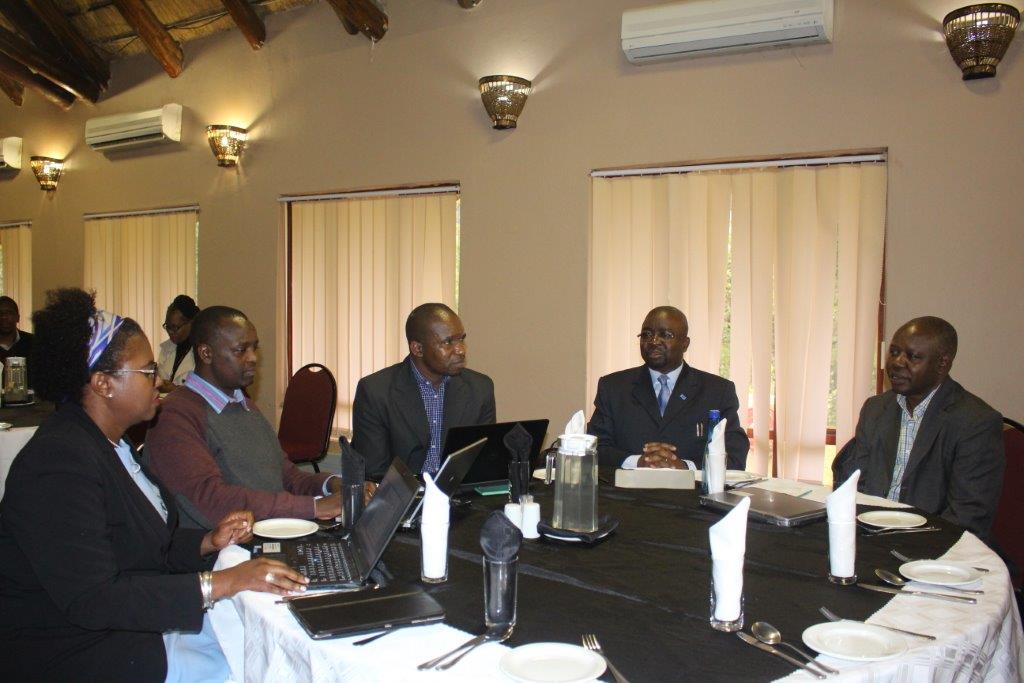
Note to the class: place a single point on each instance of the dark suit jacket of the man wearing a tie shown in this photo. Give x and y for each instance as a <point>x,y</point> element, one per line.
<point>626,416</point>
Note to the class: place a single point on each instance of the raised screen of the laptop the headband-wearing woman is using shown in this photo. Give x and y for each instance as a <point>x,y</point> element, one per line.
<point>383,515</point>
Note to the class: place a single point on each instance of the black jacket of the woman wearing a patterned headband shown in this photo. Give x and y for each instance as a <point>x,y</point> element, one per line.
<point>91,575</point>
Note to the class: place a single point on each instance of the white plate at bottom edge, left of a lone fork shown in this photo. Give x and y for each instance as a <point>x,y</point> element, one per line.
<point>551,663</point>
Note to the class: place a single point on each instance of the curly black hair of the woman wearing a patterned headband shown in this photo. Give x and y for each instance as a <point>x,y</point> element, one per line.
<point>61,349</point>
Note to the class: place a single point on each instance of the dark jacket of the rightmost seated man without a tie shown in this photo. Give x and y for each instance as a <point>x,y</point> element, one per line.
<point>956,465</point>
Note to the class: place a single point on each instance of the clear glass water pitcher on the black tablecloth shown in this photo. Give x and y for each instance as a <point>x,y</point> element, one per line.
<point>576,483</point>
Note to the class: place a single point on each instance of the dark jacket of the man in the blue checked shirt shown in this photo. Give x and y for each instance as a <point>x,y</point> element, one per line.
<point>390,421</point>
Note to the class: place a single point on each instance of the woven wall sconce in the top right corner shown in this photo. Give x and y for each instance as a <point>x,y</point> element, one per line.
<point>978,37</point>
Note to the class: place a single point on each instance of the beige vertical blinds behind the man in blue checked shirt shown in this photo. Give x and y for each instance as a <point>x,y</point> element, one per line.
<point>358,267</point>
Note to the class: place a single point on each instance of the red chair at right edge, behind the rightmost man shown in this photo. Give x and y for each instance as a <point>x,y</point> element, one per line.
<point>1008,531</point>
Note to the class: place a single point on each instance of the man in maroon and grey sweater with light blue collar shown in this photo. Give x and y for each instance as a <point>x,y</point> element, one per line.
<point>214,448</point>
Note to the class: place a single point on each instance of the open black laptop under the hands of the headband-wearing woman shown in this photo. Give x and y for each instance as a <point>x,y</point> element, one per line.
<point>347,563</point>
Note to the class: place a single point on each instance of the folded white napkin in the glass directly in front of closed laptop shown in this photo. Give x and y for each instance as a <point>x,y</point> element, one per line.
<point>729,545</point>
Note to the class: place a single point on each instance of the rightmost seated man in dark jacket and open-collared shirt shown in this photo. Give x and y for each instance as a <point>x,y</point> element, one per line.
<point>928,443</point>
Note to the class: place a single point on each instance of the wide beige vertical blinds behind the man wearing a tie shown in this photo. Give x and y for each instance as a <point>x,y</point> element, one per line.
<point>771,267</point>
